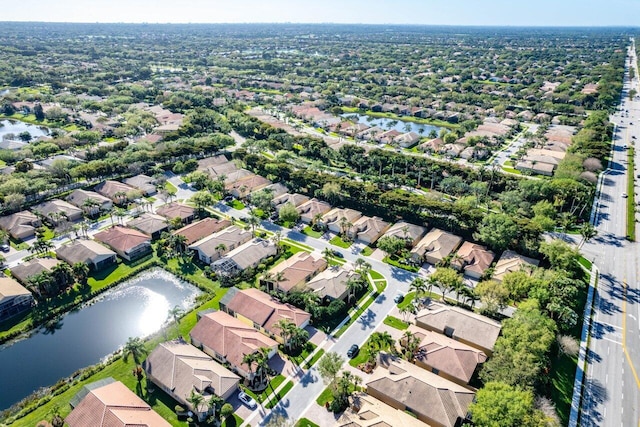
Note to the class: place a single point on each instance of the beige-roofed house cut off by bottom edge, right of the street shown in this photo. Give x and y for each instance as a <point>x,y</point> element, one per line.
<point>367,411</point>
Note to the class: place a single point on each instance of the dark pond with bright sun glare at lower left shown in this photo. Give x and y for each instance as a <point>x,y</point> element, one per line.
<point>138,307</point>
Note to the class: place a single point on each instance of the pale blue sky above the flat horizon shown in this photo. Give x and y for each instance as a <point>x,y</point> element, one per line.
<point>426,12</point>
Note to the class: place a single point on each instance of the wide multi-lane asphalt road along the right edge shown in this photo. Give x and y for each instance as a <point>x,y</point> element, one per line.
<point>611,395</point>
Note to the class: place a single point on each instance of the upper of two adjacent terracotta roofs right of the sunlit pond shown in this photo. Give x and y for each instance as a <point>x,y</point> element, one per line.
<point>262,309</point>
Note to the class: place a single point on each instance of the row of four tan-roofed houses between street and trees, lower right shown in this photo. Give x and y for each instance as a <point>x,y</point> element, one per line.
<point>453,344</point>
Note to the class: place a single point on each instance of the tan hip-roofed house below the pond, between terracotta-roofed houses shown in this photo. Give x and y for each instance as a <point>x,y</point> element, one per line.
<point>179,369</point>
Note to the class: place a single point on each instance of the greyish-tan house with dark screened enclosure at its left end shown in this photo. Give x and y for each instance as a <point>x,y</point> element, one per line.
<point>244,257</point>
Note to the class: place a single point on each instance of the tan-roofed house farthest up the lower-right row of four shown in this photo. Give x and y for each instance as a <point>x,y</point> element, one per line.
<point>461,325</point>
